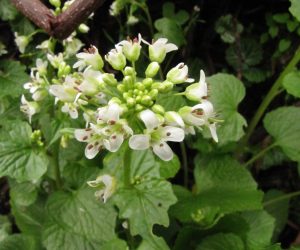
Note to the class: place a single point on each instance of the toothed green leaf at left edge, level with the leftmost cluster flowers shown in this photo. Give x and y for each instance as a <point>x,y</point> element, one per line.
<point>12,78</point>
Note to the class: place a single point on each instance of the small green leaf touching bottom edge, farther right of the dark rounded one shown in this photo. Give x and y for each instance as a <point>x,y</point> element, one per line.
<point>261,227</point>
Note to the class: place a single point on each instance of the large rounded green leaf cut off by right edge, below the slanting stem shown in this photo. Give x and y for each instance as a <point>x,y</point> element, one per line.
<point>283,125</point>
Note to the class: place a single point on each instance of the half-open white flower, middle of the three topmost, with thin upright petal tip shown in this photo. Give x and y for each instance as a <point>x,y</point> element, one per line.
<point>131,48</point>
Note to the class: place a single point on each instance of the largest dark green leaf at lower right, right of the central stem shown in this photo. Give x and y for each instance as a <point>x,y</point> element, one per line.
<point>223,187</point>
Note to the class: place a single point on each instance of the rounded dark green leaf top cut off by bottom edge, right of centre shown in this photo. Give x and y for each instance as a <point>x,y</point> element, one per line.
<point>221,242</point>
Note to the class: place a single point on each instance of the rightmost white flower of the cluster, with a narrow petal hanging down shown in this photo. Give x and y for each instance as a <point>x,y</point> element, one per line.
<point>200,115</point>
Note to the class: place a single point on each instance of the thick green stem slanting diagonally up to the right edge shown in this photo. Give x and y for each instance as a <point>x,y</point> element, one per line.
<point>274,91</point>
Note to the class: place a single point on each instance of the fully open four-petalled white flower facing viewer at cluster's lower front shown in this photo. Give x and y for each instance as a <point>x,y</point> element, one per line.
<point>156,136</point>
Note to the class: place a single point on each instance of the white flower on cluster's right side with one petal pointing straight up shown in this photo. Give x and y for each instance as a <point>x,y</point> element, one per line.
<point>197,91</point>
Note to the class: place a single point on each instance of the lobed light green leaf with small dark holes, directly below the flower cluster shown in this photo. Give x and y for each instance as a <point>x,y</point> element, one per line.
<point>146,200</point>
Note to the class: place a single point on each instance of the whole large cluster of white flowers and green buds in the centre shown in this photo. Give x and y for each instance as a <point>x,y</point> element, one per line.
<point>117,110</point>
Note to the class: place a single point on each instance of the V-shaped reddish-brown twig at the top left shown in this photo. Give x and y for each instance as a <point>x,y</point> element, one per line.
<point>60,26</point>
